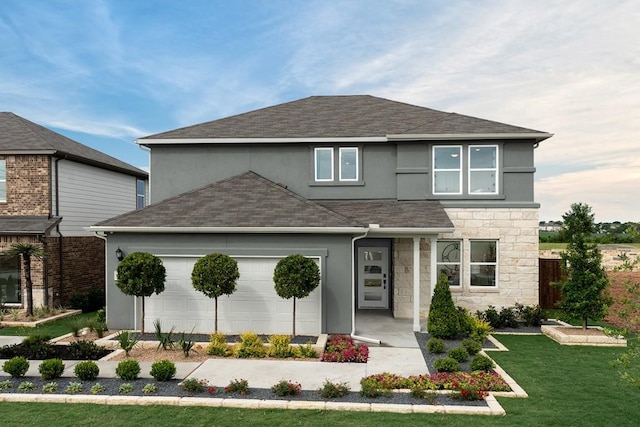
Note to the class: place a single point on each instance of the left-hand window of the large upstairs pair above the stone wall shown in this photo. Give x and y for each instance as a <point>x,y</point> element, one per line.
<point>447,170</point>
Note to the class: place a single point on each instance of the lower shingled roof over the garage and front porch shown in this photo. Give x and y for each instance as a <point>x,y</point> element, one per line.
<point>252,201</point>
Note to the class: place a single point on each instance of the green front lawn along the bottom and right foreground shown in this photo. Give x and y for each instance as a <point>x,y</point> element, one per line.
<point>567,386</point>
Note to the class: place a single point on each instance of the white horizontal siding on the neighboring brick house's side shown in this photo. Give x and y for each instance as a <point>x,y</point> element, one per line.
<point>89,194</point>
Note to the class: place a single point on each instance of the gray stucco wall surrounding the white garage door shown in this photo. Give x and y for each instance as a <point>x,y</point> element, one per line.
<point>334,252</point>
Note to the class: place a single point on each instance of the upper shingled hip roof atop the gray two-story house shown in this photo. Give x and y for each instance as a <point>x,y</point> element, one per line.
<point>341,116</point>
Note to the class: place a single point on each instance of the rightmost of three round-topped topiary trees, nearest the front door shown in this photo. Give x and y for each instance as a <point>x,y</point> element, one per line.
<point>296,276</point>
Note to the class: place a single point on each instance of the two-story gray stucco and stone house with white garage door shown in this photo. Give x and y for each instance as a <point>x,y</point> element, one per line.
<point>384,195</point>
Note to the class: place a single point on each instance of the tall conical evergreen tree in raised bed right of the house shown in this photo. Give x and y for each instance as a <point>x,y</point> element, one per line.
<point>585,287</point>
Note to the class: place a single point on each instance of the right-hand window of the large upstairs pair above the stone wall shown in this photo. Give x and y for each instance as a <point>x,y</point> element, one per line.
<point>483,169</point>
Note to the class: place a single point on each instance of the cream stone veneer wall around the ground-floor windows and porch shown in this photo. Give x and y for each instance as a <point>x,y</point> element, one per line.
<point>517,232</point>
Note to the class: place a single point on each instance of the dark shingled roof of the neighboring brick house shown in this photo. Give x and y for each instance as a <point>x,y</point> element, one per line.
<point>21,136</point>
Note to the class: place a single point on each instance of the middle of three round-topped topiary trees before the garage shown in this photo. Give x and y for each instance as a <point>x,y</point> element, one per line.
<point>215,275</point>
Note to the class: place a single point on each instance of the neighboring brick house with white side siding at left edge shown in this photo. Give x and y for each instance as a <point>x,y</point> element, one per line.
<point>51,187</point>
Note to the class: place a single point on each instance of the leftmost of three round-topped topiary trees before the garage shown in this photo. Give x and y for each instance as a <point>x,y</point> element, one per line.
<point>141,274</point>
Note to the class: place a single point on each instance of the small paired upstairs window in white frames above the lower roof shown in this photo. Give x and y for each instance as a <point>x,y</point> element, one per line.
<point>346,169</point>
